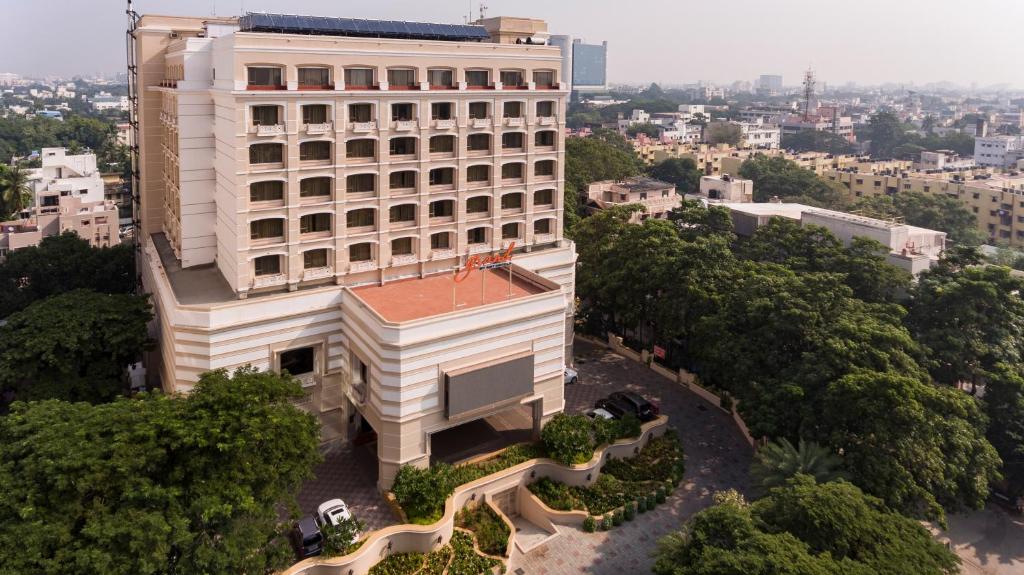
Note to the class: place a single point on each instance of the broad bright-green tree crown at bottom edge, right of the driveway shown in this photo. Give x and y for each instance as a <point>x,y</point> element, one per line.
<point>803,528</point>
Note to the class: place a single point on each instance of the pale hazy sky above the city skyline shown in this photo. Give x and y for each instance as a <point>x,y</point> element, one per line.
<point>670,41</point>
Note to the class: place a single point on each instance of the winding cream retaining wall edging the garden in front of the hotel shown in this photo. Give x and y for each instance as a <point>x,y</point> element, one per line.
<point>425,539</point>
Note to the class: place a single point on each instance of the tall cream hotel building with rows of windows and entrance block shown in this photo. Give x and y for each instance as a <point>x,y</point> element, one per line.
<point>326,202</point>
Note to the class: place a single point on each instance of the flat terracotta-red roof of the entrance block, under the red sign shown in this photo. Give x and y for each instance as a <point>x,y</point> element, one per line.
<point>406,300</point>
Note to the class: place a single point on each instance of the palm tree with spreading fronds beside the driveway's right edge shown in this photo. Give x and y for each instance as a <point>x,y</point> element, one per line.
<point>780,461</point>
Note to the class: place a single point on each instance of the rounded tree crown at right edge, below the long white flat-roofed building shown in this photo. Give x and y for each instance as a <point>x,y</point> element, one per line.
<point>970,320</point>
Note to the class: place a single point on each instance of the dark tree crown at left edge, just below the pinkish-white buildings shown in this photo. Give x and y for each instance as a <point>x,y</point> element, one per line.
<point>62,263</point>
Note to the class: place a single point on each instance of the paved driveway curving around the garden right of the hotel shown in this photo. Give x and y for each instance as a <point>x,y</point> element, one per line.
<point>717,459</point>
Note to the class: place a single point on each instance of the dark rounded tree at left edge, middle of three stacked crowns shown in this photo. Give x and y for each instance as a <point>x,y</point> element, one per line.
<point>74,346</point>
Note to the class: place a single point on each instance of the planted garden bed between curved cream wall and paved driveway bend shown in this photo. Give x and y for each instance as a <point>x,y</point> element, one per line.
<point>626,486</point>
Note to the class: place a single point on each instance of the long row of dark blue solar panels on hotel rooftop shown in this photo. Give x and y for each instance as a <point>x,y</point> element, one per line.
<point>292,24</point>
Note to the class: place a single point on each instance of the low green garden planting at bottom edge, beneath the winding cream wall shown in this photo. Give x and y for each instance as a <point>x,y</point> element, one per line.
<point>457,558</point>
